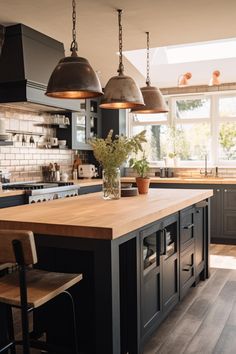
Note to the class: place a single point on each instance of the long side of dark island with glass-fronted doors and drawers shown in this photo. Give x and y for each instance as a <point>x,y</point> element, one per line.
<point>173,258</point>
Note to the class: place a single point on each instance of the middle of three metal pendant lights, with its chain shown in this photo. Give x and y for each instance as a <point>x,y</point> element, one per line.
<point>121,91</point>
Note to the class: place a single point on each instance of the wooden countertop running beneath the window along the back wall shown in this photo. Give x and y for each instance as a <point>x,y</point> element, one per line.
<point>186,180</point>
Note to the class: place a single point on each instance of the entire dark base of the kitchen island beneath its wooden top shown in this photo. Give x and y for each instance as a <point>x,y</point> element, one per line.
<point>157,265</point>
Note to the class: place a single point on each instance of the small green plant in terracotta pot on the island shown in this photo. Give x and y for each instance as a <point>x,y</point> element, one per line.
<point>141,167</point>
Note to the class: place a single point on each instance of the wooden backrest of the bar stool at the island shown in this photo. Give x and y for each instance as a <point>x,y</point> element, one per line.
<point>28,245</point>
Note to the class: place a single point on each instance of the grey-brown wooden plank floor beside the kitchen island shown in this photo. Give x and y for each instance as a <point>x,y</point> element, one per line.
<point>205,320</point>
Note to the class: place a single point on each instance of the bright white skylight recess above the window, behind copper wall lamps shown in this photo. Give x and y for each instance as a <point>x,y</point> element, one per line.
<point>168,63</point>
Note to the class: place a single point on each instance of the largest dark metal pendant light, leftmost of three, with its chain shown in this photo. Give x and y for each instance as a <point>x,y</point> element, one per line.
<point>73,76</point>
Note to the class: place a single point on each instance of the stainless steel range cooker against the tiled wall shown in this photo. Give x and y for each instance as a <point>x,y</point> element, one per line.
<point>37,192</point>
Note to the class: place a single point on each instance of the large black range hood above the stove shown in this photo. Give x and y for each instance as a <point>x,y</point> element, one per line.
<point>27,60</point>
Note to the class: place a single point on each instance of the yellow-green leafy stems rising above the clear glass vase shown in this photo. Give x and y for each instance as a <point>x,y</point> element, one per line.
<point>112,153</point>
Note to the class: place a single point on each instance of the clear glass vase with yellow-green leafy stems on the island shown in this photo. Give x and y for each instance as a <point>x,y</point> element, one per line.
<point>111,154</point>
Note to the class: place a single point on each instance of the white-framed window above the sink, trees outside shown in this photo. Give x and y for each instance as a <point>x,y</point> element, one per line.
<point>195,126</point>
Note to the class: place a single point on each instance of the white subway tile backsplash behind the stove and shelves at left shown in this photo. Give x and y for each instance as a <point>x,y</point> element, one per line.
<point>25,161</point>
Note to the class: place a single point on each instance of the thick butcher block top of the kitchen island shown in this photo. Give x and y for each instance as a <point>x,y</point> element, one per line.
<point>90,216</point>
